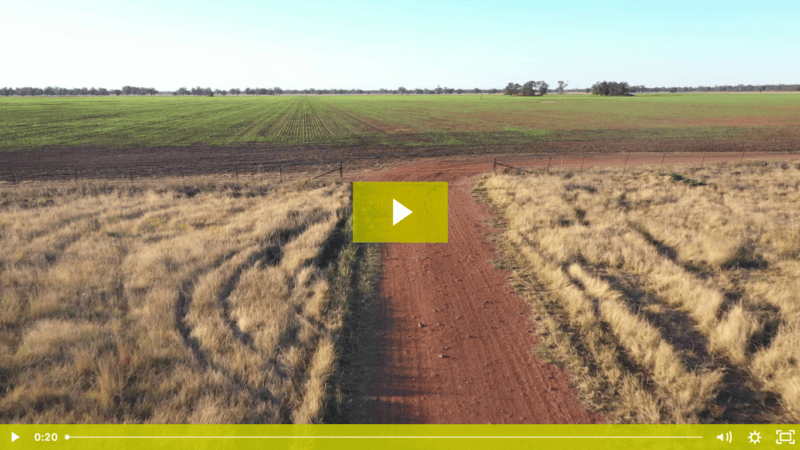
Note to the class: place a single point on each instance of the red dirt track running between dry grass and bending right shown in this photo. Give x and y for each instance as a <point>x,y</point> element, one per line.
<point>471,362</point>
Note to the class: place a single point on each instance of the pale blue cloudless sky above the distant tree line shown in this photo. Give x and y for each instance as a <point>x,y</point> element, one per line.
<point>297,44</point>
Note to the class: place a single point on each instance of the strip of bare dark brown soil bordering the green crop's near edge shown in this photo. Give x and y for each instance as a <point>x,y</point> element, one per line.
<point>65,163</point>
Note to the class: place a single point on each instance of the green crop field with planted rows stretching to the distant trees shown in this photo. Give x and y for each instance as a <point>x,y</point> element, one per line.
<point>466,120</point>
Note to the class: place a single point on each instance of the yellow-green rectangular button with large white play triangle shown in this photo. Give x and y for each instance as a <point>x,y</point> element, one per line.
<point>412,212</point>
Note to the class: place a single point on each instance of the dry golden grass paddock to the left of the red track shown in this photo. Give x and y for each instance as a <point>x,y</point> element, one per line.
<point>161,303</point>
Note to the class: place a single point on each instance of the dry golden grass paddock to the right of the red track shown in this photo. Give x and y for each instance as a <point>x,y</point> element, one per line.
<point>682,286</point>
